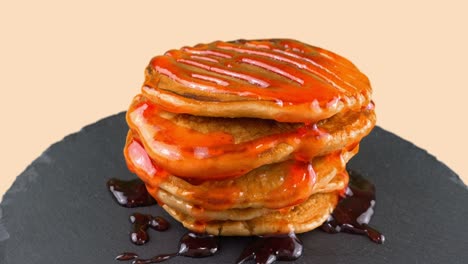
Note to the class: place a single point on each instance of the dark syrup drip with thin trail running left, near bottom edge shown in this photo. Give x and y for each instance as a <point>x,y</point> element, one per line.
<point>191,245</point>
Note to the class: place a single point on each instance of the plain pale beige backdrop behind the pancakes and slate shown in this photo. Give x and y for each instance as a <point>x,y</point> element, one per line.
<point>64,65</point>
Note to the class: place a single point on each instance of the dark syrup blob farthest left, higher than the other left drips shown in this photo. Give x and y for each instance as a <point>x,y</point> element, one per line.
<point>130,193</point>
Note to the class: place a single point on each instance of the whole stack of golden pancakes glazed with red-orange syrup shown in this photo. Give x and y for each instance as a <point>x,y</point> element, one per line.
<point>248,137</point>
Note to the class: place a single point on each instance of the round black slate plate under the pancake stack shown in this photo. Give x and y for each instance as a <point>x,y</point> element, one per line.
<point>59,211</point>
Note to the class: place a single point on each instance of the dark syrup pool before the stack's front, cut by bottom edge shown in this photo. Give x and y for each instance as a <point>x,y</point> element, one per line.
<point>268,249</point>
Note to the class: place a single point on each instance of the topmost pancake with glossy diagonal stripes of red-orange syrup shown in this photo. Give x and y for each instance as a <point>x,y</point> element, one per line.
<point>279,79</point>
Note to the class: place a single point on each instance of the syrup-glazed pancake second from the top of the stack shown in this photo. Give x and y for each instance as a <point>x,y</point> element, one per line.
<point>185,144</point>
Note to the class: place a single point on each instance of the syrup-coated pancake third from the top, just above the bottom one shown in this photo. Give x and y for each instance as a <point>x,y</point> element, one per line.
<point>272,186</point>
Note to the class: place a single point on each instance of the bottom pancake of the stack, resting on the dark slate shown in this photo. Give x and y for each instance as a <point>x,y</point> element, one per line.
<point>298,219</point>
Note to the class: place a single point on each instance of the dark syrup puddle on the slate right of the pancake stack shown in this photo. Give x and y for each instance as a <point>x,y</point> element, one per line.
<point>354,211</point>
